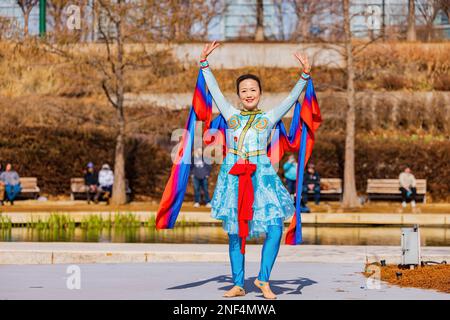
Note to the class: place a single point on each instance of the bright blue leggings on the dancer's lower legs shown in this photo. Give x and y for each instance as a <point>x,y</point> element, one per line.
<point>269,254</point>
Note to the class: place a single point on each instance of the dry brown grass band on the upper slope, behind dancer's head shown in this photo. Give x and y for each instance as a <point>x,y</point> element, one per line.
<point>28,70</point>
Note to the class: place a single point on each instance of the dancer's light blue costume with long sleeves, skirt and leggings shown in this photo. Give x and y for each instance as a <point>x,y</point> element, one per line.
<point>247,137</point>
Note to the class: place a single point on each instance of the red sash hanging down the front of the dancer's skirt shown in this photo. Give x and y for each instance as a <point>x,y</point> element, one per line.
<point>244,170</point>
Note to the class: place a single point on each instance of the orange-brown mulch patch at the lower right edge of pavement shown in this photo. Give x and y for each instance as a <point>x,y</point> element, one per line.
<point>436,277</point>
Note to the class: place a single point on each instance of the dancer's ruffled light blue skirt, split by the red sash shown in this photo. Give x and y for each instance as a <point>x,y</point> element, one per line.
<point>272,202</point>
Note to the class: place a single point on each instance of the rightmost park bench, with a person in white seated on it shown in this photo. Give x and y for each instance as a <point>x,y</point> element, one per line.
<point>388,189</point>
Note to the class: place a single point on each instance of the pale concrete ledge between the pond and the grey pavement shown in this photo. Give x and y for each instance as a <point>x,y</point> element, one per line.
<point>62,252</point>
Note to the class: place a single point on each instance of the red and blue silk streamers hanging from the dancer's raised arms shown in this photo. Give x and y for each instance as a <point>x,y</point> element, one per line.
<point>306,120</point>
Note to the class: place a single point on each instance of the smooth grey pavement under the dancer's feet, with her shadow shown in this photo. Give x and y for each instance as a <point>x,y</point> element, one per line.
<point>197,281</point>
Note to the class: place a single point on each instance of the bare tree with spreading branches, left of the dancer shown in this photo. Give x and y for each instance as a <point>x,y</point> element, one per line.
<point>118,22</point>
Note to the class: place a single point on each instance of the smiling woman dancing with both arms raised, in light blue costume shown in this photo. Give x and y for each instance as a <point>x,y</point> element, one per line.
<point>249,197</point>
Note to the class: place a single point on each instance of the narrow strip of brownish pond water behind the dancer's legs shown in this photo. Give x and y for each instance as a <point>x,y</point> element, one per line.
<point>319,235</point>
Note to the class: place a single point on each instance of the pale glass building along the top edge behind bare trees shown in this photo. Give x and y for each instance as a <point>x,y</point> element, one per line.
<point>280,18</point>
